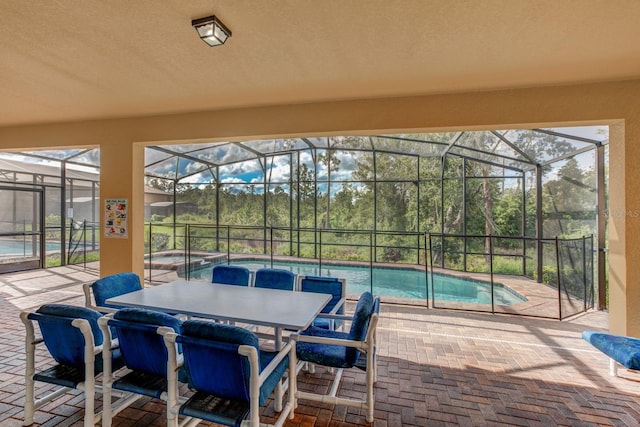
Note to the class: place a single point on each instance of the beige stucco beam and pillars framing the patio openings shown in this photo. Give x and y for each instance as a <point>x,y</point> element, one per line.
<point>121,143</point>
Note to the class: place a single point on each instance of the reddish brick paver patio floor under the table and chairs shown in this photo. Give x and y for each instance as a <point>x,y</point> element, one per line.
<point>436,368</point>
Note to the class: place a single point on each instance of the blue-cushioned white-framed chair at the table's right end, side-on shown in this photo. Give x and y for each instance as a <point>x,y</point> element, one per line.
<point>340,350</point>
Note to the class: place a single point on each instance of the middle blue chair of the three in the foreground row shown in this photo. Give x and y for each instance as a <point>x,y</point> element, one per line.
<point>144,354</point>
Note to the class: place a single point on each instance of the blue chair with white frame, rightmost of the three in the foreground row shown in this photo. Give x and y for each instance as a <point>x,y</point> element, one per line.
<point>231,375</point>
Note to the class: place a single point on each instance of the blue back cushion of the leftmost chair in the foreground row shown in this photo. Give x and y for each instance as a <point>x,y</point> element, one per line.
<point>64,341</point>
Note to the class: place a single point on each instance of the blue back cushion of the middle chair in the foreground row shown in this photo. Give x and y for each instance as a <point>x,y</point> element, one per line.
<point>142,348</point>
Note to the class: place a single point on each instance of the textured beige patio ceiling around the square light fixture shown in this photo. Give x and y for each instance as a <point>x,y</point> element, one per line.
<point>76,60</point>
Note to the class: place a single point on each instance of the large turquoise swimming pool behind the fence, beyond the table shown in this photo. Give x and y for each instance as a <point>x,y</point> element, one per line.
<point>396,282</point>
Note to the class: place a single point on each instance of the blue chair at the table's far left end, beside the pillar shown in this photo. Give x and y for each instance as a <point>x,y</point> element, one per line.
<point>109,287</point>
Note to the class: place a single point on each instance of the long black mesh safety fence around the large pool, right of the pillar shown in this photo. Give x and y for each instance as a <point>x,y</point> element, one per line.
<point>565,269</point>
